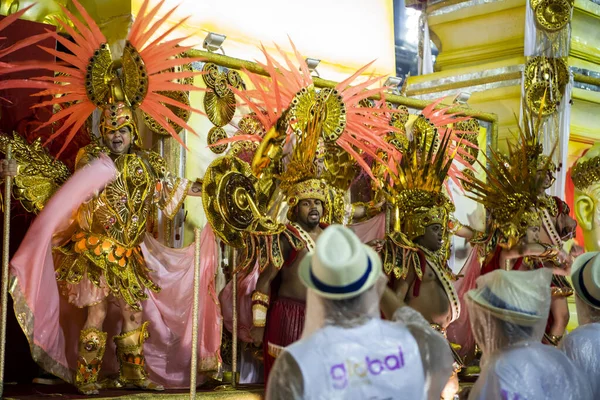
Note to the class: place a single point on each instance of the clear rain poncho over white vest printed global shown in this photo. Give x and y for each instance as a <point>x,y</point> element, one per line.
<point>348,352</point>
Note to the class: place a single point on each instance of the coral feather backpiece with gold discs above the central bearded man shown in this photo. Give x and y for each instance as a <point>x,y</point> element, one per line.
<point>289,106</point>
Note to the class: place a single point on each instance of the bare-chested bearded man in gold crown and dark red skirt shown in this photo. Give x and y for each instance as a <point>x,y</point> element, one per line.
<point>278,303</point>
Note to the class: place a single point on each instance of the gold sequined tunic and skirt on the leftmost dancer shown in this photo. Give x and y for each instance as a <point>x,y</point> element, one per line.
<point>106,248</point>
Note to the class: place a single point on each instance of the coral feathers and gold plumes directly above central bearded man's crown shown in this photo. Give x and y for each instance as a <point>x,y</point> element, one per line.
<point>294,113</point>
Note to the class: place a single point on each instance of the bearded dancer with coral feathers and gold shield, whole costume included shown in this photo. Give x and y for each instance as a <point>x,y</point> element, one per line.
<point>298,120</point>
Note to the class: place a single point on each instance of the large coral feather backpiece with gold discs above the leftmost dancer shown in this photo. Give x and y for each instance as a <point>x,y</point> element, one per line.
<point>89,78</point>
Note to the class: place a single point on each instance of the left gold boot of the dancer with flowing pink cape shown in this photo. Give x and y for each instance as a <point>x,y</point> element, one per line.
<point>92,344</point>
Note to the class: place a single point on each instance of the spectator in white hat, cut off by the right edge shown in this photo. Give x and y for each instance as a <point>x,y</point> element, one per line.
<point>582,345</point>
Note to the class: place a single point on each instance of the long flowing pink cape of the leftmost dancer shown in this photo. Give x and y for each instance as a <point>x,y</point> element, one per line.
<point>52,325</point>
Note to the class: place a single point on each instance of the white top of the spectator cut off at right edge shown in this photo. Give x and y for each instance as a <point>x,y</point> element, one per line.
<point>582,346</point>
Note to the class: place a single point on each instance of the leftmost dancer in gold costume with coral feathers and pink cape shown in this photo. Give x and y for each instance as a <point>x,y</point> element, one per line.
<point>101,261</point>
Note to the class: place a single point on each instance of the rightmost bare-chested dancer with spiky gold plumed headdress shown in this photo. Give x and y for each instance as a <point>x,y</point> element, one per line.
<point>529,226</point>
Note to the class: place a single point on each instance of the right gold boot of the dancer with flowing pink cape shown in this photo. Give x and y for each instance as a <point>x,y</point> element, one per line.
<point>130,353</point>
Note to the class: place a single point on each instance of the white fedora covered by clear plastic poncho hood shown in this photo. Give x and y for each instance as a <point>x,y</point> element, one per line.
<point>521,297</point>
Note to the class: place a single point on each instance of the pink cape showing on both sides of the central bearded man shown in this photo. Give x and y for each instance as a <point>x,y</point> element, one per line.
<point>371,229</point>
